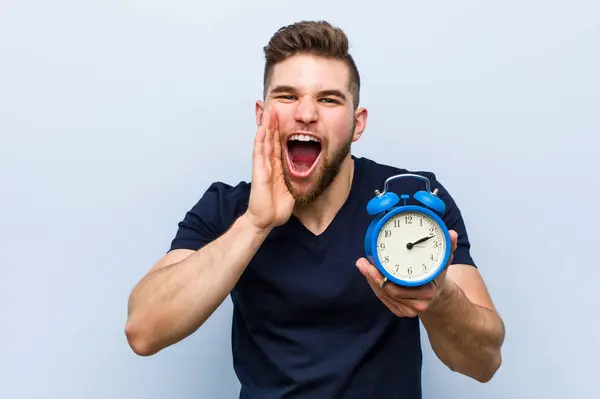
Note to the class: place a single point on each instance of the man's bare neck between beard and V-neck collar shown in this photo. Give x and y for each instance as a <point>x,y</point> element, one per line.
<point>317,215</point>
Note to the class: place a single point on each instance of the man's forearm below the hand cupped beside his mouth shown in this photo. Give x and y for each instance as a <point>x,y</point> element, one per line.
<point>172,302</point>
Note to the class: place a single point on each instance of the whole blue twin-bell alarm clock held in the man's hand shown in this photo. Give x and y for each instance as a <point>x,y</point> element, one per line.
<point>409,244</point>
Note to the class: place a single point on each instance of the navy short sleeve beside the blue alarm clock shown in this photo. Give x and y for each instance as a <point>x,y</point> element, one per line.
<point>454,221</point>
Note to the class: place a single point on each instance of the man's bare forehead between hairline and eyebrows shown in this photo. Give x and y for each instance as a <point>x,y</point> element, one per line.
<point>311,73</point>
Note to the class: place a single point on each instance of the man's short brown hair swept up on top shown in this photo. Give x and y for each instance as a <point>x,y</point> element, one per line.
<point>318,38</point>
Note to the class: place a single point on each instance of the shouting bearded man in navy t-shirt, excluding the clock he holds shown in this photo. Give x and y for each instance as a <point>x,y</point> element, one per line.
<point>311,319</point>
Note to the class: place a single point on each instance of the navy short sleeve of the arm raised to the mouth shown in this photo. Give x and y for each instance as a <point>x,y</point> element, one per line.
<point>220,205</point>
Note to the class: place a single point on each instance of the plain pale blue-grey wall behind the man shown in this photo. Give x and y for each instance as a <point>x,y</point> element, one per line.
<point>115,116</point>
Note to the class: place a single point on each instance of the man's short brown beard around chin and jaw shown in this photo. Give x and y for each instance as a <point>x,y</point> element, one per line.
<point>322,177</point>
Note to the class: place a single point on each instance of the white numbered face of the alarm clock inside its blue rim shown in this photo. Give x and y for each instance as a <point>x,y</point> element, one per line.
<point>411,246</point>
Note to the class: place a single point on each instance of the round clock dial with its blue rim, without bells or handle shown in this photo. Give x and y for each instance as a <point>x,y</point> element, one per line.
<point>411,246</point>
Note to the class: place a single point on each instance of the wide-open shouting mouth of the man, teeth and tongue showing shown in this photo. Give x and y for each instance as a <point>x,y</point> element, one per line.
<point>303,152</point>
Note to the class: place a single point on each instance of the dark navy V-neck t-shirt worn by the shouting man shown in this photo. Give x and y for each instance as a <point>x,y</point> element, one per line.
<point>305,322</point>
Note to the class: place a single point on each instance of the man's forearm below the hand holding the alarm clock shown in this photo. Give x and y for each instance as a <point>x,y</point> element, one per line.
<point>466,337</point>
